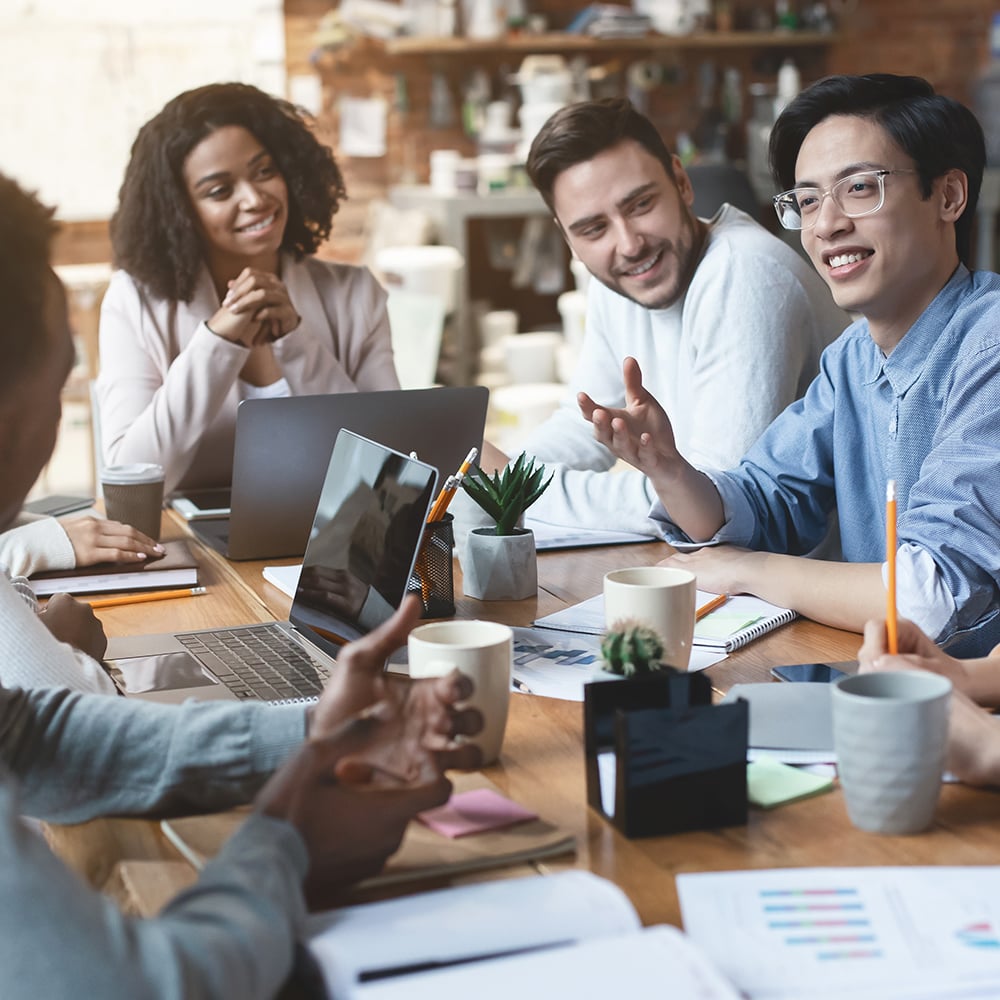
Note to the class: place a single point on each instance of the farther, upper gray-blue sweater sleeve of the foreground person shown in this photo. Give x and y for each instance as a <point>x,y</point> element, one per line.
<point>79,756</point>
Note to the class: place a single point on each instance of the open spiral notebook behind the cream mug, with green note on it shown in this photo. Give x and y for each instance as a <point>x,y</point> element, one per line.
<point>740,620</point>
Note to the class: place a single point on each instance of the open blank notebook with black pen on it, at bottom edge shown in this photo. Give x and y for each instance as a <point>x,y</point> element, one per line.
<point>565,935</point>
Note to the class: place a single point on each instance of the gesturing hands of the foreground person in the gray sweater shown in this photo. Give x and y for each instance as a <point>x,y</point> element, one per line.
<point>375,756</point>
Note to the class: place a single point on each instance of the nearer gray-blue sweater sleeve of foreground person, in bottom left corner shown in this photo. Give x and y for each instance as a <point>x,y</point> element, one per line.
<point>232,935</point>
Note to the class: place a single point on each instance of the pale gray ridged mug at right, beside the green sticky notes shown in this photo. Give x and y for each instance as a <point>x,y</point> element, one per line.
<point>890,733</point>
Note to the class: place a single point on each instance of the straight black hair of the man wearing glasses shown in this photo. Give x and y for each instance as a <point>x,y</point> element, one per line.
<point>935,131</point>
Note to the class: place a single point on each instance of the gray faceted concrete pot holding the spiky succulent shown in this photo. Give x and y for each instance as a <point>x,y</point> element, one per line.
<point>499,567</point>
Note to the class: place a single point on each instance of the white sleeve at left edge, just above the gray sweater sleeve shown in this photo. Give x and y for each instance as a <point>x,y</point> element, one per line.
<point>31,657</point>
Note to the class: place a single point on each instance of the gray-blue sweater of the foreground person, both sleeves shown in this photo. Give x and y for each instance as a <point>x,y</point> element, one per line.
<point>79,756</point>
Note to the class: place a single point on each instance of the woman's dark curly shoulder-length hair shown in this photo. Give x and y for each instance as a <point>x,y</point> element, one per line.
<point>153,231</point>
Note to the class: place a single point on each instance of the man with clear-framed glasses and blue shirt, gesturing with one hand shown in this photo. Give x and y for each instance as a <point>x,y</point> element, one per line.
<point>883,176</point>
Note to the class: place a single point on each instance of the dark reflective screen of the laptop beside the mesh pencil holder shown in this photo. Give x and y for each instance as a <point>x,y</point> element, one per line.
<point>363,543</point>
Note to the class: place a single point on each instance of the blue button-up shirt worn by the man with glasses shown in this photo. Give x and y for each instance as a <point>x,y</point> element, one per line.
<point>927,416</point>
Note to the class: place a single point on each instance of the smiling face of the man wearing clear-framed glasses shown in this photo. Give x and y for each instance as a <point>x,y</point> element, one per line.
<point>890,265</point>
